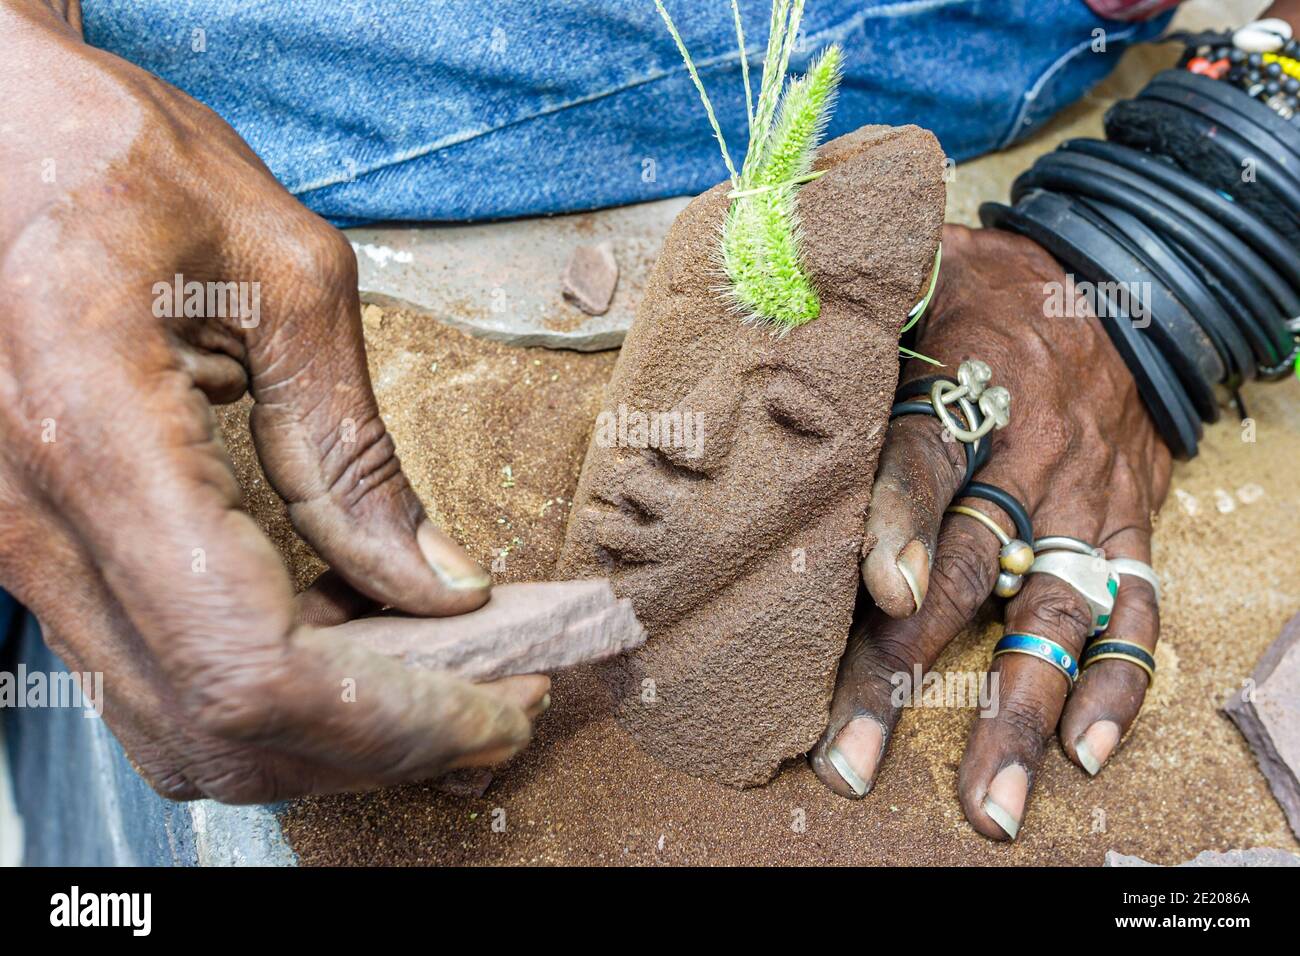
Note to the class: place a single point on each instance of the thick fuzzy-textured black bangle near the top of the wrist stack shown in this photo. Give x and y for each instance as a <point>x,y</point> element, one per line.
<point>1212,155</point>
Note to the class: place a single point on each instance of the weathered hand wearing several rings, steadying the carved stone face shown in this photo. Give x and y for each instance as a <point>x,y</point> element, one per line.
<point>1084,457</point>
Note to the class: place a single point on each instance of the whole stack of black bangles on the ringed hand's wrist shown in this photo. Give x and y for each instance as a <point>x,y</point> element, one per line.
<point>1186,224</point>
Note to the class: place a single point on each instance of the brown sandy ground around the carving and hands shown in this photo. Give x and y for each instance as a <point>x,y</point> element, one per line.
<point>493,440</point>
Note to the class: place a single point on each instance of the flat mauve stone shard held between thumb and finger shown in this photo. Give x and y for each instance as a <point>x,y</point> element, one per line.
<point>525,629</point>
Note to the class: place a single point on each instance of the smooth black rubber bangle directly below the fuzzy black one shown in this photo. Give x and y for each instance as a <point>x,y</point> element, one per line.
<point>1253,231</point>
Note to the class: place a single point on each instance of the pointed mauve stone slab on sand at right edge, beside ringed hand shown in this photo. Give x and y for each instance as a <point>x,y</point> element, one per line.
<point>1268,715</point>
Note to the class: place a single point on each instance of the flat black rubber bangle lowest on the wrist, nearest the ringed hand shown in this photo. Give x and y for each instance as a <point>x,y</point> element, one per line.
<point>1048,220</point>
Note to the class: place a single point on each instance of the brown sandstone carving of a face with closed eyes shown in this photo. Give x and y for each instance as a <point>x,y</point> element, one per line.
<point>740,547</point>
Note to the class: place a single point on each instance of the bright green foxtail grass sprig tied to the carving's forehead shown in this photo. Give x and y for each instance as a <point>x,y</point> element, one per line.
<point>762,240</point>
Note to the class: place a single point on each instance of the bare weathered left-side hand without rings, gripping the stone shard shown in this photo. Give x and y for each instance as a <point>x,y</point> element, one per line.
<point>120,521</point>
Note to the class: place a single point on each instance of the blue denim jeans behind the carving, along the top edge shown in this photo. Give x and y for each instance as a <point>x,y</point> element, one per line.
<point>395,110</point>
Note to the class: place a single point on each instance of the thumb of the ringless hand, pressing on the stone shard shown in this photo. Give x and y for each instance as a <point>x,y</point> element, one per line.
<point>327,452</point>
